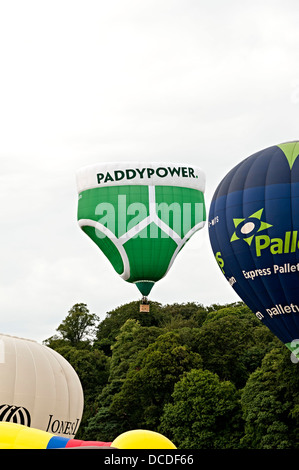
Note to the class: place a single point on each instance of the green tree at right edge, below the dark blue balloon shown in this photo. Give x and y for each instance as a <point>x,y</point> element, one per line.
<point>270,401</point>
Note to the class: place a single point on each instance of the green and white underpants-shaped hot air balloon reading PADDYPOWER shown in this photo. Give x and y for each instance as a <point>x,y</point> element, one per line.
<point>141,215</point>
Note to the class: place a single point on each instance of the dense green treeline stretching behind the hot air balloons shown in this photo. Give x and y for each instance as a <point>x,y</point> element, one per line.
<point>206,377</point>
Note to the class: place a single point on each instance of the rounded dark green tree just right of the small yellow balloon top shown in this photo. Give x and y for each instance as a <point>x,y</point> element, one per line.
<point>205,413</point>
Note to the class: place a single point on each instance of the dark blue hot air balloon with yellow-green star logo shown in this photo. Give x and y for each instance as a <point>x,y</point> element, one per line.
<point>253,229</point>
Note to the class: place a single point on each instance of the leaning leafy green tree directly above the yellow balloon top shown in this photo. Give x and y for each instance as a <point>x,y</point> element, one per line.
<point>149,382</point>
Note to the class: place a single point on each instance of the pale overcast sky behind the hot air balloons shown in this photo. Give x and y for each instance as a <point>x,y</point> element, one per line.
<point>194,81</point>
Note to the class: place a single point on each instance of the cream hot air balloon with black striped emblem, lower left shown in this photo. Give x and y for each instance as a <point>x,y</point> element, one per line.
<point>38,387</point>
